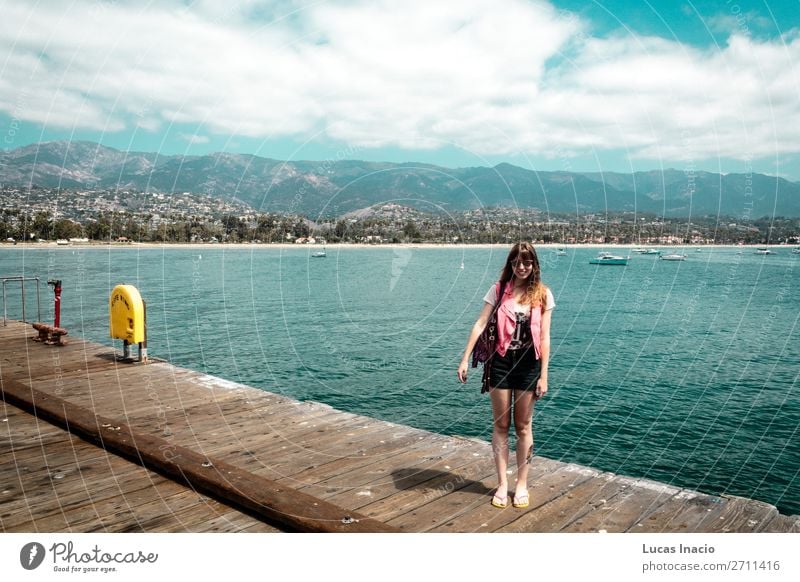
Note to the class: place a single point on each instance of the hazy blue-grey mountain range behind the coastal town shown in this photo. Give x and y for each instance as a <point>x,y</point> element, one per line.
<point>335,187</point>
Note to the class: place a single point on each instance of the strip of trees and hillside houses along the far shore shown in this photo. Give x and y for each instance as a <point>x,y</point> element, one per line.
<point>418,228</point>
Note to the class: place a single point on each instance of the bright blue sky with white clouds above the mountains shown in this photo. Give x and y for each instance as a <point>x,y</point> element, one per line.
<point>560,85</point>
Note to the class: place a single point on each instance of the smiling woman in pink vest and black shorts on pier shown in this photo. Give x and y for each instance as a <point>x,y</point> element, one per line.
<point>518,373</point>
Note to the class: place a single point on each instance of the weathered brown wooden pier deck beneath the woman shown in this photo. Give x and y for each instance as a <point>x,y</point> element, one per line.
<point>92,444</point>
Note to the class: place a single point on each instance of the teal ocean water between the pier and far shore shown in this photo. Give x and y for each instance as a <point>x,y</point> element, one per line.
<point>681,372</point>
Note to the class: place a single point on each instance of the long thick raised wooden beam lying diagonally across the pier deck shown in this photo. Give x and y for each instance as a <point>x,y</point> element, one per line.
<point>291,509</point>
